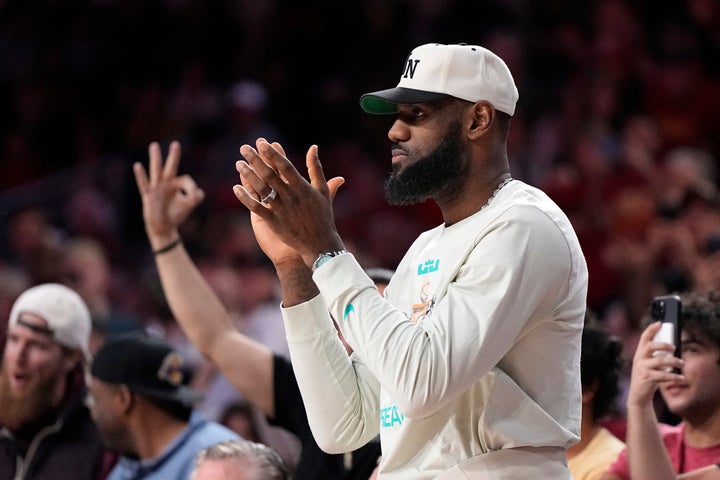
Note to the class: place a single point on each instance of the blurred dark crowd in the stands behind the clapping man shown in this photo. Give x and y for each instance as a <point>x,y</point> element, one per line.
<point>616,121</point>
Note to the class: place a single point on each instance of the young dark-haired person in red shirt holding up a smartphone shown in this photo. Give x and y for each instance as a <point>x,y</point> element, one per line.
<point>656,451</point>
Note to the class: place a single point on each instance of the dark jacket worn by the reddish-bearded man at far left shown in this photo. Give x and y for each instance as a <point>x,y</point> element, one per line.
<point>67,447</point>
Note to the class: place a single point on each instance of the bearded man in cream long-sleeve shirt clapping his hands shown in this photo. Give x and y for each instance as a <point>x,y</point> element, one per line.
<point>469,365</point>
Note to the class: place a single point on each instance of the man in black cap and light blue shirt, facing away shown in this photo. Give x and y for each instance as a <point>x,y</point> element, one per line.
<point>144,412</point>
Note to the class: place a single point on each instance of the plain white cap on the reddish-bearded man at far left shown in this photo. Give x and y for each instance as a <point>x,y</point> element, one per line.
<point>65,312</point>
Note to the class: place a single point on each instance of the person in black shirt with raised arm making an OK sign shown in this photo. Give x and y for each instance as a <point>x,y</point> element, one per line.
<point>264,378</point>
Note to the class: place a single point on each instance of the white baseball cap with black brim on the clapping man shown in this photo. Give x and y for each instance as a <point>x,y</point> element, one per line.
<point>434,71</point>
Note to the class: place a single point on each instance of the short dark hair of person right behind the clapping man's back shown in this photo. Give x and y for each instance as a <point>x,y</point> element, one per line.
<point>600,366</point>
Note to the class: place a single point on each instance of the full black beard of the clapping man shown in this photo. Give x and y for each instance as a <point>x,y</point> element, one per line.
<point>438,175</point>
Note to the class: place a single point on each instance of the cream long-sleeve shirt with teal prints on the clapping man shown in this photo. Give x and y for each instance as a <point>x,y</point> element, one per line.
<point>470,365</point>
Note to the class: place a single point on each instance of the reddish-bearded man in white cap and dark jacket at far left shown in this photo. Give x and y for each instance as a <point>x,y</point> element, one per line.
<point>46,430</point>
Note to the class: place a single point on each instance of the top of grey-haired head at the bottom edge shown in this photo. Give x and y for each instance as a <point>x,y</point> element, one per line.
<point>240,460</point>
